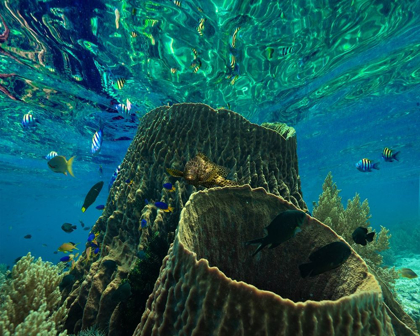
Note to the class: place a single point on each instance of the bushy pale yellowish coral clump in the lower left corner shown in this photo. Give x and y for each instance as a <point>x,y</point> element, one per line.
<point>32,300</point>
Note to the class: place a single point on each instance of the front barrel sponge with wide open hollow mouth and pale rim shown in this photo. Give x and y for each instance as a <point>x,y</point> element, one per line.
<point>210,285</point>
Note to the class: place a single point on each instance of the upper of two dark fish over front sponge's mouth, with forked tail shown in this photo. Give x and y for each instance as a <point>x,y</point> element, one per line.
<point>283,227</point>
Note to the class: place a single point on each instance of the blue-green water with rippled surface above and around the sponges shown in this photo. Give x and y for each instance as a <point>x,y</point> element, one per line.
<point>344,73</point>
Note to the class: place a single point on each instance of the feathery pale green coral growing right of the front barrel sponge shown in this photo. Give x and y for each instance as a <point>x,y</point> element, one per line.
<point>330,211</point>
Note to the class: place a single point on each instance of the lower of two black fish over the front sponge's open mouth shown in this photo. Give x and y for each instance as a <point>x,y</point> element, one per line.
<point>325,259</point>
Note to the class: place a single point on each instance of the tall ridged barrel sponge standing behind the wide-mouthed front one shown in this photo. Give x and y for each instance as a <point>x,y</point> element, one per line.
<point>168,137</point>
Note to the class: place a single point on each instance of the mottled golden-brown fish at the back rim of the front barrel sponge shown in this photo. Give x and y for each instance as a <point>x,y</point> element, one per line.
<point>200,171</point>
